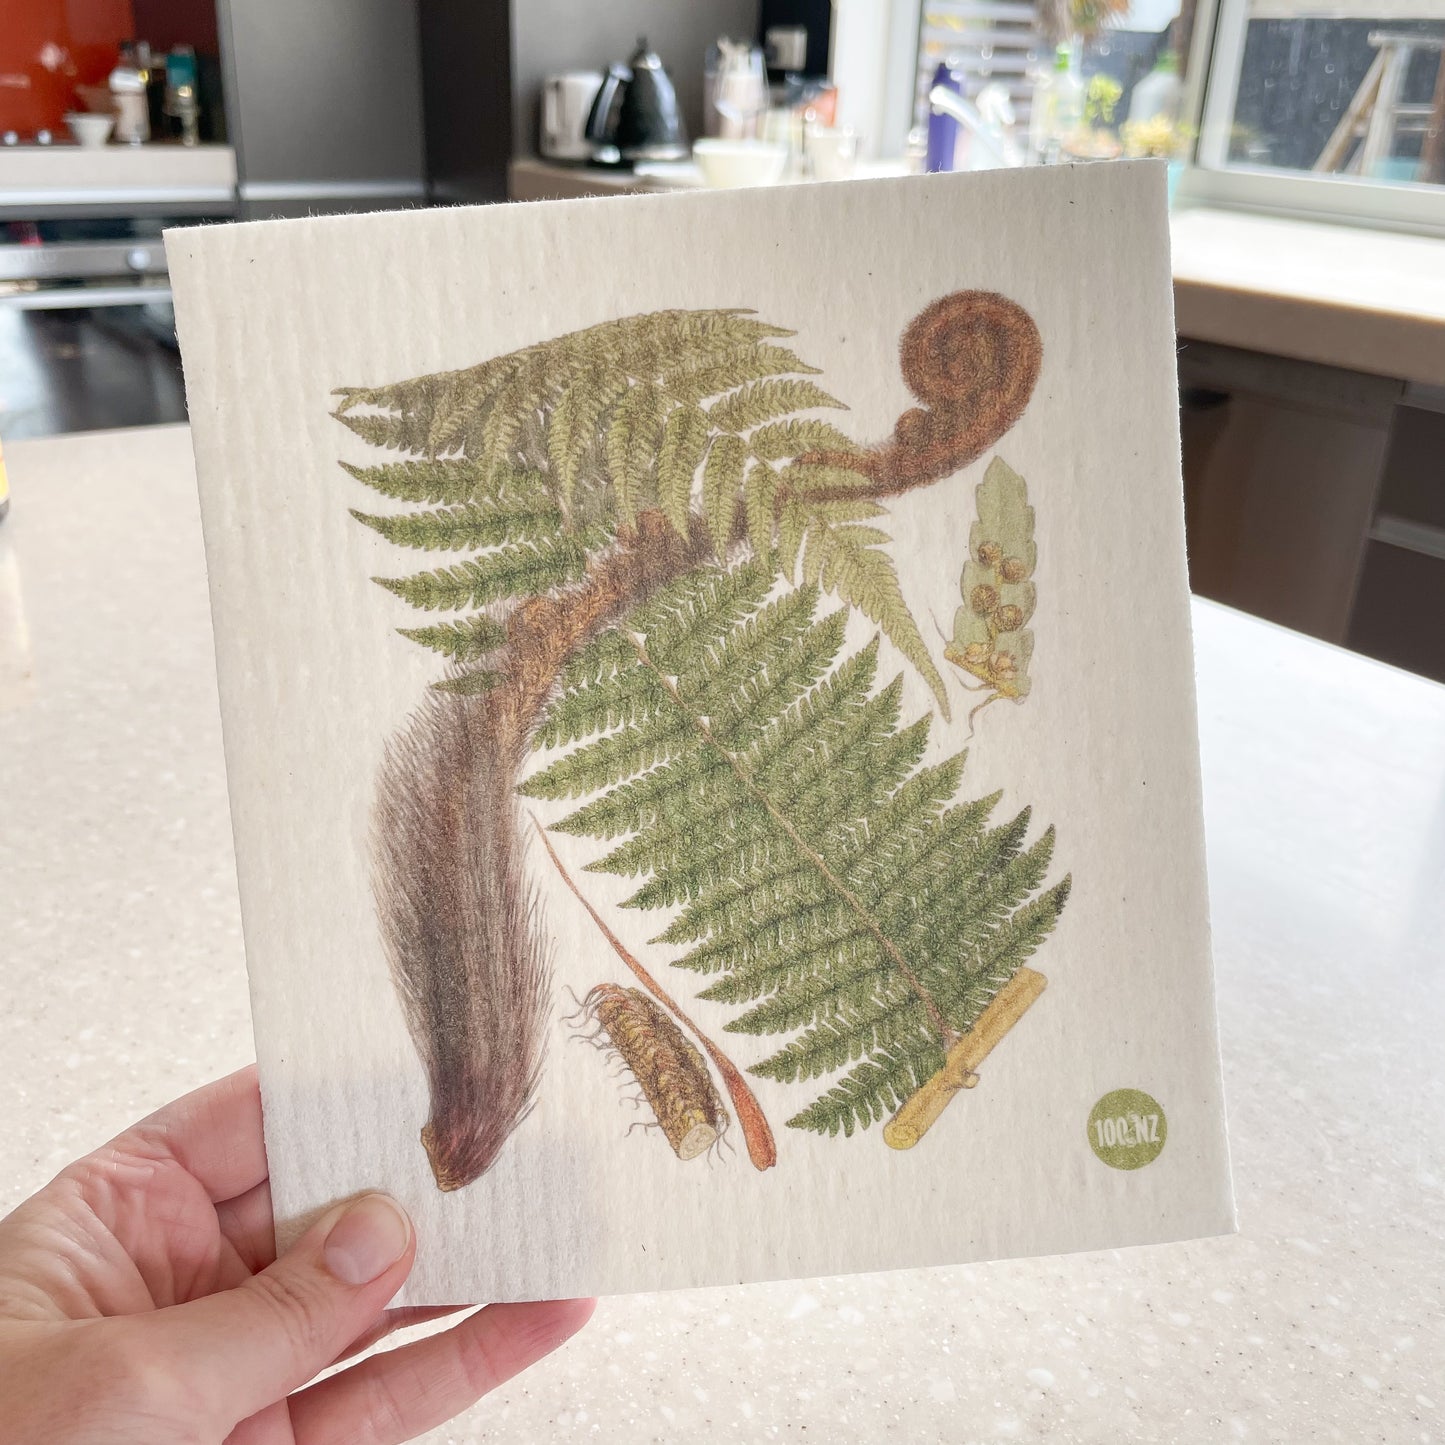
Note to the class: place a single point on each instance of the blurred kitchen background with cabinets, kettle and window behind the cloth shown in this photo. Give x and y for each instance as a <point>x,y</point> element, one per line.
<point>1304,139</point>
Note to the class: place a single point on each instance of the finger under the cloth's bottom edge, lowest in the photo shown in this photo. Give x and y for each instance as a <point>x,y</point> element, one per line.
<point>398,1395</point>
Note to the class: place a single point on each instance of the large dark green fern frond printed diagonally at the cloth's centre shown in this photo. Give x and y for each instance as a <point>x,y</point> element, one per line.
<point>827,881</point>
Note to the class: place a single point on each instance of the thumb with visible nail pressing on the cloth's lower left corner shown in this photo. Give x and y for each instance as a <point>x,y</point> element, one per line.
<point>251,1346</point>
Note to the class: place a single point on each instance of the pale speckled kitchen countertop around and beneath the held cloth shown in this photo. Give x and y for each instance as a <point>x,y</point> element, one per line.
<point>1324,1320</point>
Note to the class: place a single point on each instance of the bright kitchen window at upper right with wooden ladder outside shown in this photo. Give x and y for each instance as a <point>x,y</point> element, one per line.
<point>1324,108</point>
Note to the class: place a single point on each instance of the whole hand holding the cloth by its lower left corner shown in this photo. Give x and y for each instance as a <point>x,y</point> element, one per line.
<point>141,1301</point>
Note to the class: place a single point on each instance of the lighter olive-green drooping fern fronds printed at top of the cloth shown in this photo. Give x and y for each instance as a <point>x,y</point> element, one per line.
<point>571,439</point>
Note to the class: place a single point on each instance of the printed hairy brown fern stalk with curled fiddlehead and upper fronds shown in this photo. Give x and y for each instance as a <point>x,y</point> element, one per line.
<point>573,483</point>
